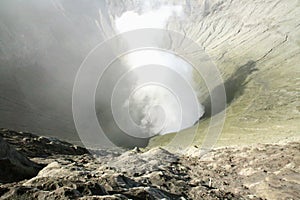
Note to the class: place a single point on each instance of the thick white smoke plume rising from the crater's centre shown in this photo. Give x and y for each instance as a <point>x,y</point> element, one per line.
<point>152,108</point>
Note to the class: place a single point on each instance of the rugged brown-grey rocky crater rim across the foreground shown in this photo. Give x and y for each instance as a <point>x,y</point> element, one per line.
<point>60,170</point>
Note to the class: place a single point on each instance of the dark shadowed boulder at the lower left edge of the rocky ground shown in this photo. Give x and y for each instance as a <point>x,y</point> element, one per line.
<point>14,166</point>
